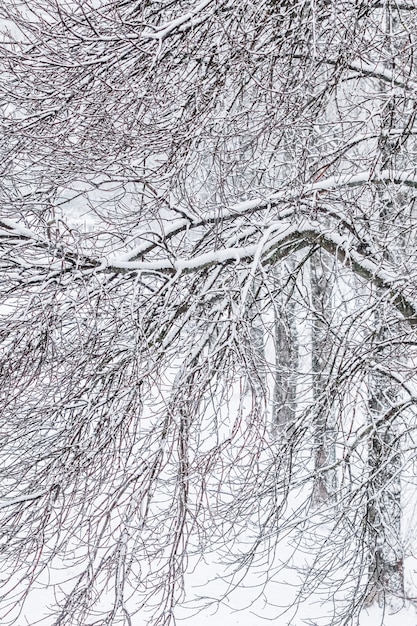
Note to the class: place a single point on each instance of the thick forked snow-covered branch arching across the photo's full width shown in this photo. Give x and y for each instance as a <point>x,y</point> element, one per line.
<point>280,239</point>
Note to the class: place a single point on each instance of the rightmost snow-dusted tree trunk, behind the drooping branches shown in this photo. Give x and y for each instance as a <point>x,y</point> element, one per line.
<point>386,577</point>
